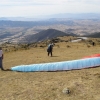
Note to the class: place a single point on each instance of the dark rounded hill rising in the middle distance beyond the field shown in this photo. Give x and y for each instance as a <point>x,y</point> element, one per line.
<point>45,35</point>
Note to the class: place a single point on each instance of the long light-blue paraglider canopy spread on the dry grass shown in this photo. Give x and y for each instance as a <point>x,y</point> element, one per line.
<point>59,66</point>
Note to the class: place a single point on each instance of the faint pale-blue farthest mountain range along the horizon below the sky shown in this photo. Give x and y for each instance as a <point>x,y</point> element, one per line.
<point>62,15</point>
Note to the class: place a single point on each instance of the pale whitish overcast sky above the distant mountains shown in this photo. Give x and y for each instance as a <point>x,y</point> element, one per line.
<point>35,8</point>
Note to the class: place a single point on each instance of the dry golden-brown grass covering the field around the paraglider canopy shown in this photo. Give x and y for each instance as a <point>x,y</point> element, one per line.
<point>84,84</point>
